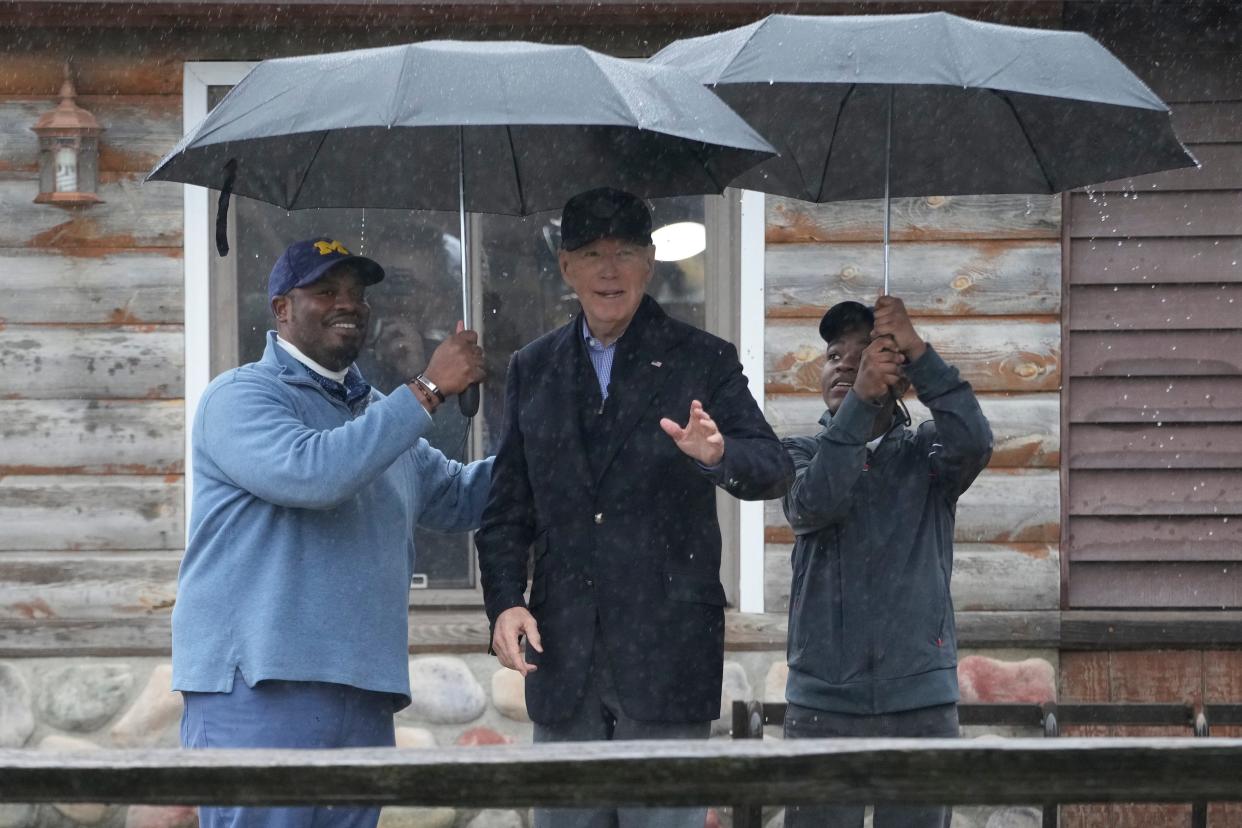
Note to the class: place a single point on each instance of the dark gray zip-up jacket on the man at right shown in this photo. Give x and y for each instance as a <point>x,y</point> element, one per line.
<point>871,625</point>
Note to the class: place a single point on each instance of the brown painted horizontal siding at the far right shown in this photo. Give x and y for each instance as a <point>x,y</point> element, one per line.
<point>1154,336</point>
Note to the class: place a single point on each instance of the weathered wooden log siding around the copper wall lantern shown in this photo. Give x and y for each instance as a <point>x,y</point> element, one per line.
<point>91,366</point>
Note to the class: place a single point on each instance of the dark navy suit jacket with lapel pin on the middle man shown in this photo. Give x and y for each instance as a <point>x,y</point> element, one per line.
<point>627,541</point>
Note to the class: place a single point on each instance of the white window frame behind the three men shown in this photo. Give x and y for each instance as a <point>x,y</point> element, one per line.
<point>738,317</point>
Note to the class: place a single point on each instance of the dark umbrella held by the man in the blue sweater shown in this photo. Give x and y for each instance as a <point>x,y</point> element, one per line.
<point>481,127</point>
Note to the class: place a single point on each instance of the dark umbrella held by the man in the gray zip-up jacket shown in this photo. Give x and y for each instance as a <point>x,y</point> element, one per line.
<point>863,107</point>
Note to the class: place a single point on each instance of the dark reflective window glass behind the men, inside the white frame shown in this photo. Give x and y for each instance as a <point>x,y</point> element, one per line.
<point>419,304</point>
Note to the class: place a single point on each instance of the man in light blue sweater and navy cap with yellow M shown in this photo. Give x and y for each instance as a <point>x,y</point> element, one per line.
<point>291,621</point>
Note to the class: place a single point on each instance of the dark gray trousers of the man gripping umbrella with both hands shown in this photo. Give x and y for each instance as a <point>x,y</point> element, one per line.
<point>927,723</point>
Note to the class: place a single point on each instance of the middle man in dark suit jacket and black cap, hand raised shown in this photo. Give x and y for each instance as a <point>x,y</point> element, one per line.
<point>625,626</point>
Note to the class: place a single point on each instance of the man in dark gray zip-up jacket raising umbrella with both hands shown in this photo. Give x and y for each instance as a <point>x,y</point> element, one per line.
<point>873,650</point>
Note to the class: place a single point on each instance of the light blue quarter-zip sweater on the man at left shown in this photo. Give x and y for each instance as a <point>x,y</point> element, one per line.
<point>301,544</point>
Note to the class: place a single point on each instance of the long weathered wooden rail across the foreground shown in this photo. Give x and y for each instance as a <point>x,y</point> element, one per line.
<point>742,773</point>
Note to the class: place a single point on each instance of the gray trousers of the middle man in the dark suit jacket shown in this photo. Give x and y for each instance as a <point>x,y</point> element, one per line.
<point>601,718</point>
